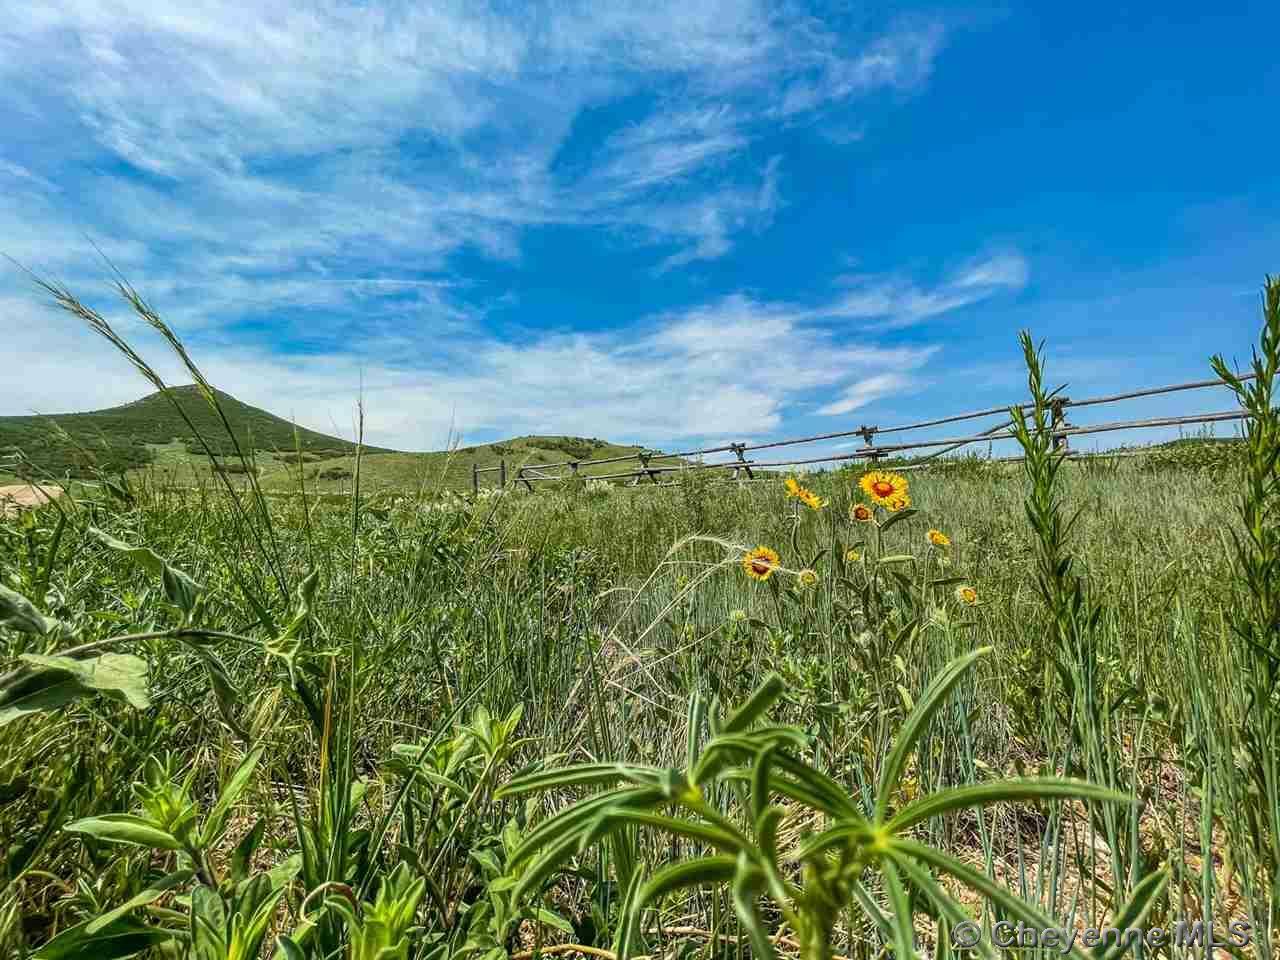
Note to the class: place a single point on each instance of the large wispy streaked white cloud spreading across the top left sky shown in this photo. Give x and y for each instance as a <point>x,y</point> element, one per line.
<point>289,132</point>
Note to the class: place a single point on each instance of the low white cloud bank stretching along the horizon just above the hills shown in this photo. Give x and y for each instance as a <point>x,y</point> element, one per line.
<point>728,369</point>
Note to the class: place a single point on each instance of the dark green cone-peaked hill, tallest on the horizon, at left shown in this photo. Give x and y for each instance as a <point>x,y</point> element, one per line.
<point>140,433</point>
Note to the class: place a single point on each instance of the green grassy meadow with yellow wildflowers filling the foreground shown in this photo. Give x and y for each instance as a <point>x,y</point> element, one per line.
<point>838,717</point>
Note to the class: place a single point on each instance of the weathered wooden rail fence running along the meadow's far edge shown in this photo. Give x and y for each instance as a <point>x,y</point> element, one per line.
<point>652,465</point>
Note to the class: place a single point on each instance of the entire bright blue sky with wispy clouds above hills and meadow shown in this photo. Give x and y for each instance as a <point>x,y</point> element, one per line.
<point>668,223</point>
